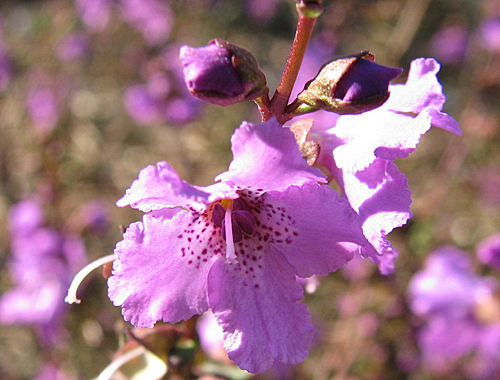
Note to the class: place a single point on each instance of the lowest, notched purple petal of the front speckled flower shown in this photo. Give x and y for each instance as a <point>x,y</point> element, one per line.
<point>260,312</point>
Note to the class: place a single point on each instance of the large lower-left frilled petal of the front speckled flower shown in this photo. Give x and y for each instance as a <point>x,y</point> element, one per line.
<point>161,267</point>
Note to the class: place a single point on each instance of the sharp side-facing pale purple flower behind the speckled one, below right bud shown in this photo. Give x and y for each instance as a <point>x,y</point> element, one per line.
<point>360,150</point>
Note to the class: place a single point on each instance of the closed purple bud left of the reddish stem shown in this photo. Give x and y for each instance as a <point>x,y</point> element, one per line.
<point>222,73</point>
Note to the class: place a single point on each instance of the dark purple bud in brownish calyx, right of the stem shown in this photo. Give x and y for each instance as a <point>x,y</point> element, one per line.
<point>349,85</point>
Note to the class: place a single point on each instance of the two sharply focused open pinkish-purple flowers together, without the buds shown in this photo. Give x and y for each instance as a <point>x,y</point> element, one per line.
<point>237,247</point>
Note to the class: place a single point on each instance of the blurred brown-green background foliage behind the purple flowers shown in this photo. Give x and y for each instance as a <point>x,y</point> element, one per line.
<point>95,151</point>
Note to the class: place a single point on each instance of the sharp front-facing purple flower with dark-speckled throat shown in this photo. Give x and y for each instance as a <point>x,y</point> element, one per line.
<point>235,247</point>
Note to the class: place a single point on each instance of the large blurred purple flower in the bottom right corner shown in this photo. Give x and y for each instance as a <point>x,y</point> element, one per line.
<point>461,326</point>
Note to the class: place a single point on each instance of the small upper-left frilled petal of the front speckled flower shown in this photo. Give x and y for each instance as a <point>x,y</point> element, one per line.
<point>160,186</point>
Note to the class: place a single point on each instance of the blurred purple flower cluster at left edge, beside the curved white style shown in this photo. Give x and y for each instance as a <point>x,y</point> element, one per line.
<point>42,263</point>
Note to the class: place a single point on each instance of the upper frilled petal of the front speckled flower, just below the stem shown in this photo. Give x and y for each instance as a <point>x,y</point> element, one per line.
<point>266,156</point>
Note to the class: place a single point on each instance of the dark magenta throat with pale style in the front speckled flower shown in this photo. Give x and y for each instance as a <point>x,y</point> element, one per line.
<point>233,216</point>
